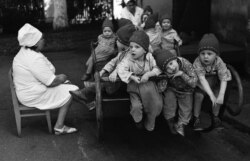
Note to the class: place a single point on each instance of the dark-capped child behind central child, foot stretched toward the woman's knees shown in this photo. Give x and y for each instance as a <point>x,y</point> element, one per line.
<point>87,94</point>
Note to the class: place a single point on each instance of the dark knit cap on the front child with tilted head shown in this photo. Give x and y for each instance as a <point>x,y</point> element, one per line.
<point>163,57</point>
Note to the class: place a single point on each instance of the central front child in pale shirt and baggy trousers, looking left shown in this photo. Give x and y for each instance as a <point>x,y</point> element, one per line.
<point>135,70</point>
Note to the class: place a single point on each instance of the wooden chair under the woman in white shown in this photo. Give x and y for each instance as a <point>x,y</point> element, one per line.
<point>24,111</point>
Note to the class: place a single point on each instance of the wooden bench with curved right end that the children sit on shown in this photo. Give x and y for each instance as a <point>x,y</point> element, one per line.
<point>234,108</point>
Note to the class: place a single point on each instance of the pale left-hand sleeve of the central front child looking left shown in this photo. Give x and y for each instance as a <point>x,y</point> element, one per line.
<point>123,70</point>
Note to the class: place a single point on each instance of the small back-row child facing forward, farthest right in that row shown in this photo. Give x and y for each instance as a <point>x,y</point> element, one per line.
<point>168,34</point>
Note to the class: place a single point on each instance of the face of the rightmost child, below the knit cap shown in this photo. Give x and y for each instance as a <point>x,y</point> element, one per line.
<point>207,57</point>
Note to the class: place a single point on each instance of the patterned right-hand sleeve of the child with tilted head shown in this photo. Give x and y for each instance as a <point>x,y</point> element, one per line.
<point>189,75</point>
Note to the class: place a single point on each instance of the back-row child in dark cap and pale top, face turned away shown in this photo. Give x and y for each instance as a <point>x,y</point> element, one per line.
<point>154,36</point>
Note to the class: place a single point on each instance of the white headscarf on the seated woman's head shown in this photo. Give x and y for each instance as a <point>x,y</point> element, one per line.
<point>28,35</point>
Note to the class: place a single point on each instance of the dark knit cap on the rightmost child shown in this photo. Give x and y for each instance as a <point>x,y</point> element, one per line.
<point>209,42</point>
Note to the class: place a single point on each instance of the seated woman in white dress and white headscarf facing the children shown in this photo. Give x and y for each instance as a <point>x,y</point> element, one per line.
<point>35,81</point>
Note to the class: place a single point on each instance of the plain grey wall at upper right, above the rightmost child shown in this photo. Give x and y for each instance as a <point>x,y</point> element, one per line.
<point>229,20</point>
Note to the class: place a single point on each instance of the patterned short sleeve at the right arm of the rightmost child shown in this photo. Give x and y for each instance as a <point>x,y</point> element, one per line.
<point>223,73</point>
